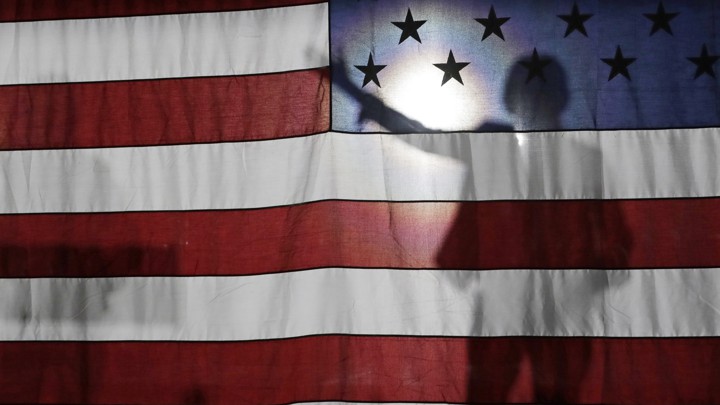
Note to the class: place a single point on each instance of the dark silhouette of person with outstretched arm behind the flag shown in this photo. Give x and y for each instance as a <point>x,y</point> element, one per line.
<point>496,364</point>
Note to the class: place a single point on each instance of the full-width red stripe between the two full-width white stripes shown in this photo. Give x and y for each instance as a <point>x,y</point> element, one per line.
<point>485,235</point>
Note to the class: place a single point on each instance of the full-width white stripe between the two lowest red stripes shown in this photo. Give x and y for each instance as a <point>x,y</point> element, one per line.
<point>620,303</point>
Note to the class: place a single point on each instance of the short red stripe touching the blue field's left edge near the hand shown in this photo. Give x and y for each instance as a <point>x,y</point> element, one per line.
<point>156,112</point>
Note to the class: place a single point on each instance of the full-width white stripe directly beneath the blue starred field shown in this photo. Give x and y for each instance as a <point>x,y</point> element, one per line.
<point>579,165</point>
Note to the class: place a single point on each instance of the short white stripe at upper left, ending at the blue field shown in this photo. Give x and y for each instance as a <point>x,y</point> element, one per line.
<point>152,47</point>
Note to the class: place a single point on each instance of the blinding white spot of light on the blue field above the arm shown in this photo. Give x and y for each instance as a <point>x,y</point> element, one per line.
<point>417,94</point>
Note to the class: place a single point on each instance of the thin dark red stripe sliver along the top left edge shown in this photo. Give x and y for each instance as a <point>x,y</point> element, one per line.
<point>27,10</point>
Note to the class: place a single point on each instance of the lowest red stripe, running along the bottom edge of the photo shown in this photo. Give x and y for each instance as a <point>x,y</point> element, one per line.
<point>498,370</point>
